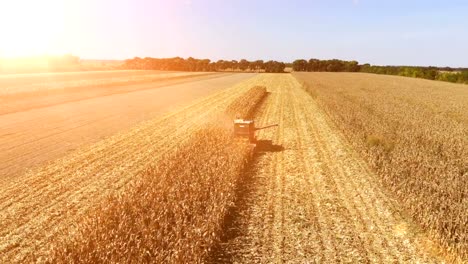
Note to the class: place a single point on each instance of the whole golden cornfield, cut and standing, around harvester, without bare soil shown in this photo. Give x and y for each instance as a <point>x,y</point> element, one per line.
<point>360,169</point>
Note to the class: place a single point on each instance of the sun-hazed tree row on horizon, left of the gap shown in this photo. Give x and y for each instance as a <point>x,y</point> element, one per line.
<point>192,64</point>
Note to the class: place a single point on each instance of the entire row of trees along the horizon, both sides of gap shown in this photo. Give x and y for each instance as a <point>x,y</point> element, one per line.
<point>456,75</point>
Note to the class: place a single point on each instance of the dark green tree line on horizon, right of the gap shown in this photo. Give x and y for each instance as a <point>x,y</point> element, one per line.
<point>458,75</point>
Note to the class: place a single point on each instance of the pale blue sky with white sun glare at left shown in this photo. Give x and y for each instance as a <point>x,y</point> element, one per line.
<point>396,32</point>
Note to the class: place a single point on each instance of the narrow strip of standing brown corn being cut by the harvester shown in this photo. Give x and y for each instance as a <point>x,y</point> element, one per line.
<point>175,210</point>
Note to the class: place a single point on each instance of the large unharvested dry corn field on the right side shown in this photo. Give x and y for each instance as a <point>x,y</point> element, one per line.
<point>414,134</point>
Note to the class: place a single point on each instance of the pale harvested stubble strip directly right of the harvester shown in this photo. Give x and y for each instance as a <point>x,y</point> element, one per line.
<point>309,198</point>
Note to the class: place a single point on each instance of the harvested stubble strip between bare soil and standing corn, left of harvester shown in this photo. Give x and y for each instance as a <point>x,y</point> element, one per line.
<point>45,202</point>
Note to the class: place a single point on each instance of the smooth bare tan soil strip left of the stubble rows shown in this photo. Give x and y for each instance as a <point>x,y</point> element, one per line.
<point>31,137</point>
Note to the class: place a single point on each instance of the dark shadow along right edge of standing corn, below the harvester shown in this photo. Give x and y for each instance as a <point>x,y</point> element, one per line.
<point>233,227</point>
